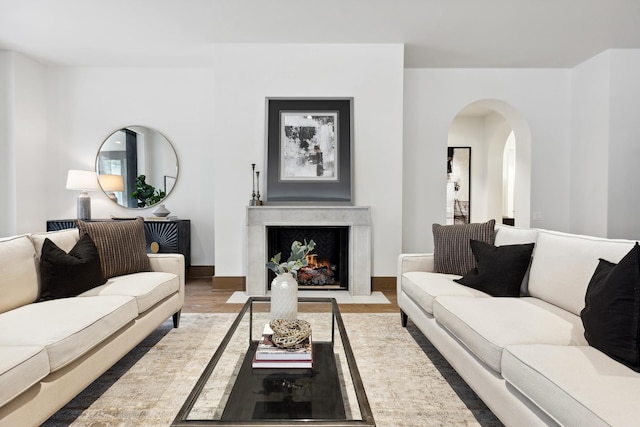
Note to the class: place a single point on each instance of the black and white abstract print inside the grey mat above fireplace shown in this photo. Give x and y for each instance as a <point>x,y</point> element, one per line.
<point>309,146</point>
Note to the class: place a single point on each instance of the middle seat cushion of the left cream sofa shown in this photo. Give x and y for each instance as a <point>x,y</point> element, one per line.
<point>67,327</point>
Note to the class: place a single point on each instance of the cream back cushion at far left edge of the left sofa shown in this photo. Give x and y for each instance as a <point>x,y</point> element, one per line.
<point>19,277</point>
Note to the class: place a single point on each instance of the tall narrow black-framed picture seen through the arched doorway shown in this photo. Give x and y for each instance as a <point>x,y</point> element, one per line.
<point>458,185</point>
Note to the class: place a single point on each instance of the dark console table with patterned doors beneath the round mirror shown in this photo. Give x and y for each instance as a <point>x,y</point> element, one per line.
<point>172,236</point>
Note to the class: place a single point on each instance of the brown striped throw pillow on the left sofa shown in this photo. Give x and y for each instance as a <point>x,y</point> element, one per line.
<point>121,244</point>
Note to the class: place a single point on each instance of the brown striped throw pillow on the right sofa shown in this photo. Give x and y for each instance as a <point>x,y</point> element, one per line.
<point>452,250</point>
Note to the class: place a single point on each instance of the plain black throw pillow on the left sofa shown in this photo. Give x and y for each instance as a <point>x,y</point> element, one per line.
<point>69,274</point>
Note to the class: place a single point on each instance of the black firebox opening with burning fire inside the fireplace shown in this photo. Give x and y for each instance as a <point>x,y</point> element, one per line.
<point>329,261</point>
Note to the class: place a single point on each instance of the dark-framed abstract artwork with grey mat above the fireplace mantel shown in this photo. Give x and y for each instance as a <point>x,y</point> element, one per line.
<point>309,150</point>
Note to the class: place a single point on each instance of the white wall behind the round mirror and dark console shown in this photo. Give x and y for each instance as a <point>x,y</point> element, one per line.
<point>86,105</point>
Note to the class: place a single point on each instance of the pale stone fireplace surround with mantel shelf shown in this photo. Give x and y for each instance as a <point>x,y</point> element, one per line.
<point>357,218</point>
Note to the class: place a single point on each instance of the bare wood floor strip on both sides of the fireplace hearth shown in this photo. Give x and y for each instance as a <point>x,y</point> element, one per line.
<point>200,297</point>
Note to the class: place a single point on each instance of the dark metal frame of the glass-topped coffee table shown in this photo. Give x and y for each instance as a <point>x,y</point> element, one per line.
<point>366,416</point>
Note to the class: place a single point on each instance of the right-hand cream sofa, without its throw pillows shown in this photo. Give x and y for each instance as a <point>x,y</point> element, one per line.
<point>527,358</point>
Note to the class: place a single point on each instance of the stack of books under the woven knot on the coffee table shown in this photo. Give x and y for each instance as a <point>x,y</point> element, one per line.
<point>268,355</point>
